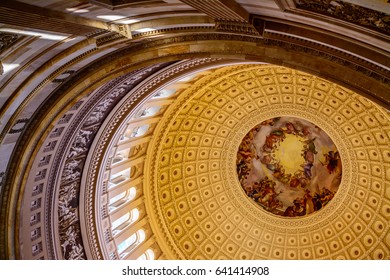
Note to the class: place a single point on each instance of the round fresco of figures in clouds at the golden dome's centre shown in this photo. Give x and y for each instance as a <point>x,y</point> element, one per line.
<point>289,166</point>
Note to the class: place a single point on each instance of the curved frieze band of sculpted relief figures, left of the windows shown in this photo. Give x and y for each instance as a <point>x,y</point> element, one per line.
<point>86,124</point>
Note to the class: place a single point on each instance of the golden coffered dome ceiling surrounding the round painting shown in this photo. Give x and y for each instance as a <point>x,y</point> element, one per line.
<point>198,204</point>
